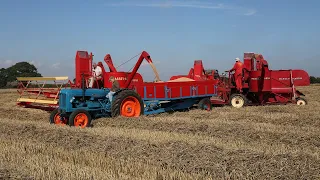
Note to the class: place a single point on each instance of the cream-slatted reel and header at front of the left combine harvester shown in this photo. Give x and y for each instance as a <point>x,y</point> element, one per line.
<point>41,92</point>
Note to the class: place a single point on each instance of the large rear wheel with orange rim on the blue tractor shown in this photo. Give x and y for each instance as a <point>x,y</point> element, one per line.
<point>121,100</point>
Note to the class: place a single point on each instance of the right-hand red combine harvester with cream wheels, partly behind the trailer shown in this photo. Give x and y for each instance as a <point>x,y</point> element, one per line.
<point>261,85</point>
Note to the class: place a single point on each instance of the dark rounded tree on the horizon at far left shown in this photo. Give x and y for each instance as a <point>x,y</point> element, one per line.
<point>21,69</point>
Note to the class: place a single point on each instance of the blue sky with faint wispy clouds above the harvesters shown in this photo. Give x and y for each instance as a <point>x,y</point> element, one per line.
<point>175,33</point>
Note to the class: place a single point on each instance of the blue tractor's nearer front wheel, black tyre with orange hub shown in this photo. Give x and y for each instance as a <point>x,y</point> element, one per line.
<point>80,118</point>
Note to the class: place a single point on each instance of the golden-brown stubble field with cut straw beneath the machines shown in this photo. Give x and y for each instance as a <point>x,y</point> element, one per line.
<point>270,142</point>
